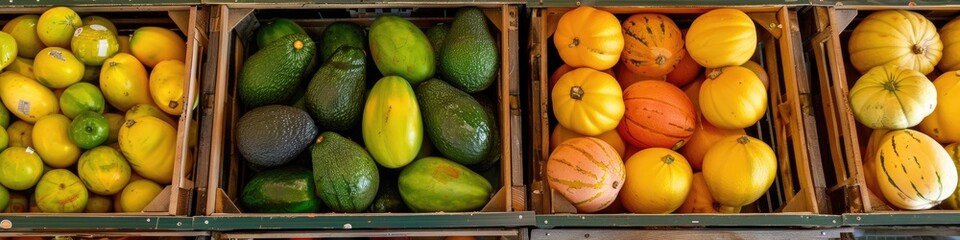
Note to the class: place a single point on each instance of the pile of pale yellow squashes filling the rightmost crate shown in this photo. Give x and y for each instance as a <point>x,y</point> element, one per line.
<point>907,95</point>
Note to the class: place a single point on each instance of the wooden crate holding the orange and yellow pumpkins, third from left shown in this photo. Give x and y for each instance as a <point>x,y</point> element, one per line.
<point>786,127</point>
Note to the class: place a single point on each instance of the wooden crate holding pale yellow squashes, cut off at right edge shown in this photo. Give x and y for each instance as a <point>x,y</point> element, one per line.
<point>847,137</point>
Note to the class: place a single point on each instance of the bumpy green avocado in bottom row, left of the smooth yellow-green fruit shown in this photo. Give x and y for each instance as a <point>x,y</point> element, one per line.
<point>346,176</point>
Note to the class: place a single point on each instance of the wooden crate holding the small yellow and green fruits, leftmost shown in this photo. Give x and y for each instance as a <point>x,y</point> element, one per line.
<point>191,22</point>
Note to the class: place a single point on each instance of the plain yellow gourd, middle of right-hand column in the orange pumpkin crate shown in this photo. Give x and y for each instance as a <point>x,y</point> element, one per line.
<point>732,98</point>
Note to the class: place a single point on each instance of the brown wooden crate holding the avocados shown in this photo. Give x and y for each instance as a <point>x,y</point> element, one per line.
<point>234,27</point>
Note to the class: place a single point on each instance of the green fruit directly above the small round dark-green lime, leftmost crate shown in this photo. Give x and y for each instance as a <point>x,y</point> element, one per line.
<point>80,97</point>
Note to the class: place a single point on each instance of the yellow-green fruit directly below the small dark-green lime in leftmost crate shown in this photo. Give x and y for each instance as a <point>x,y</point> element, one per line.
<point>104,170</point>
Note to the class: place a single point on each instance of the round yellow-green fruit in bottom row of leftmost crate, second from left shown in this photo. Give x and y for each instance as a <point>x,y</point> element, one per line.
<point>59,191</point>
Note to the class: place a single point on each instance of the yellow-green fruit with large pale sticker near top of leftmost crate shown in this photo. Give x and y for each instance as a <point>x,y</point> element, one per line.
<point>92,44</point>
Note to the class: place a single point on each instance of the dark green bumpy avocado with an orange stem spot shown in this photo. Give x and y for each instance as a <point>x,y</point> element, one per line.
<point>273,74</point>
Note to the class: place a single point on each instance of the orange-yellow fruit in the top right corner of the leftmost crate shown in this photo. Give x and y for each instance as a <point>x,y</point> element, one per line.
<point>152,45</point>
